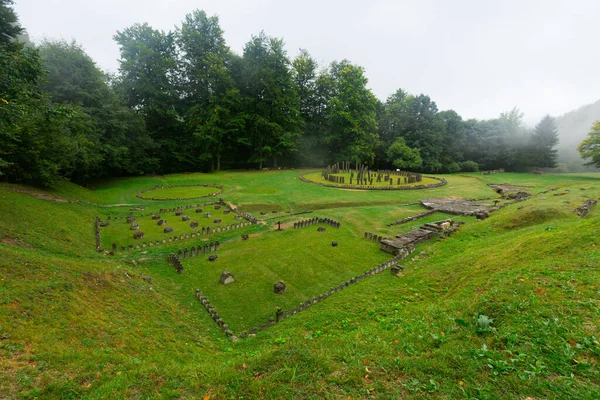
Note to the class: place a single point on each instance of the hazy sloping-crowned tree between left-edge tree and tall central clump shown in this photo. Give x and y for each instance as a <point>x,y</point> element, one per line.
<point>115,136</point>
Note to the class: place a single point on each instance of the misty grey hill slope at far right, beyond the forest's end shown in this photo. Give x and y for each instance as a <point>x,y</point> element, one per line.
<point>573,127</point>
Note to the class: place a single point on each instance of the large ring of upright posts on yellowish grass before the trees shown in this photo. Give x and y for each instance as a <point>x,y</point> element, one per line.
<point>343,175</point>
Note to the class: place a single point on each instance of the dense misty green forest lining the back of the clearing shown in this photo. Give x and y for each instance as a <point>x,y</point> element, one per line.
<point>183,101</point>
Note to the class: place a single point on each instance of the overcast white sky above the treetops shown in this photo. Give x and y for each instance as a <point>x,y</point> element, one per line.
<point>478,57</point>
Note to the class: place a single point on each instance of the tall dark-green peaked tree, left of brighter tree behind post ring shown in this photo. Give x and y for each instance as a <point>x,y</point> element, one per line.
<point>270,100</point>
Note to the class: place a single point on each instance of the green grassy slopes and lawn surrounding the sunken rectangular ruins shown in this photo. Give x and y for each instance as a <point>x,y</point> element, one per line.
<point>75,323</point>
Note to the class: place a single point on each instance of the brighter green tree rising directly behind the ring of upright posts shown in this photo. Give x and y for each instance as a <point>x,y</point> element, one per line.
<point>352,115</point>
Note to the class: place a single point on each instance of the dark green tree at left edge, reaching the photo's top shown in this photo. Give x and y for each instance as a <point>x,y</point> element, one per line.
<point>38,140</point>
